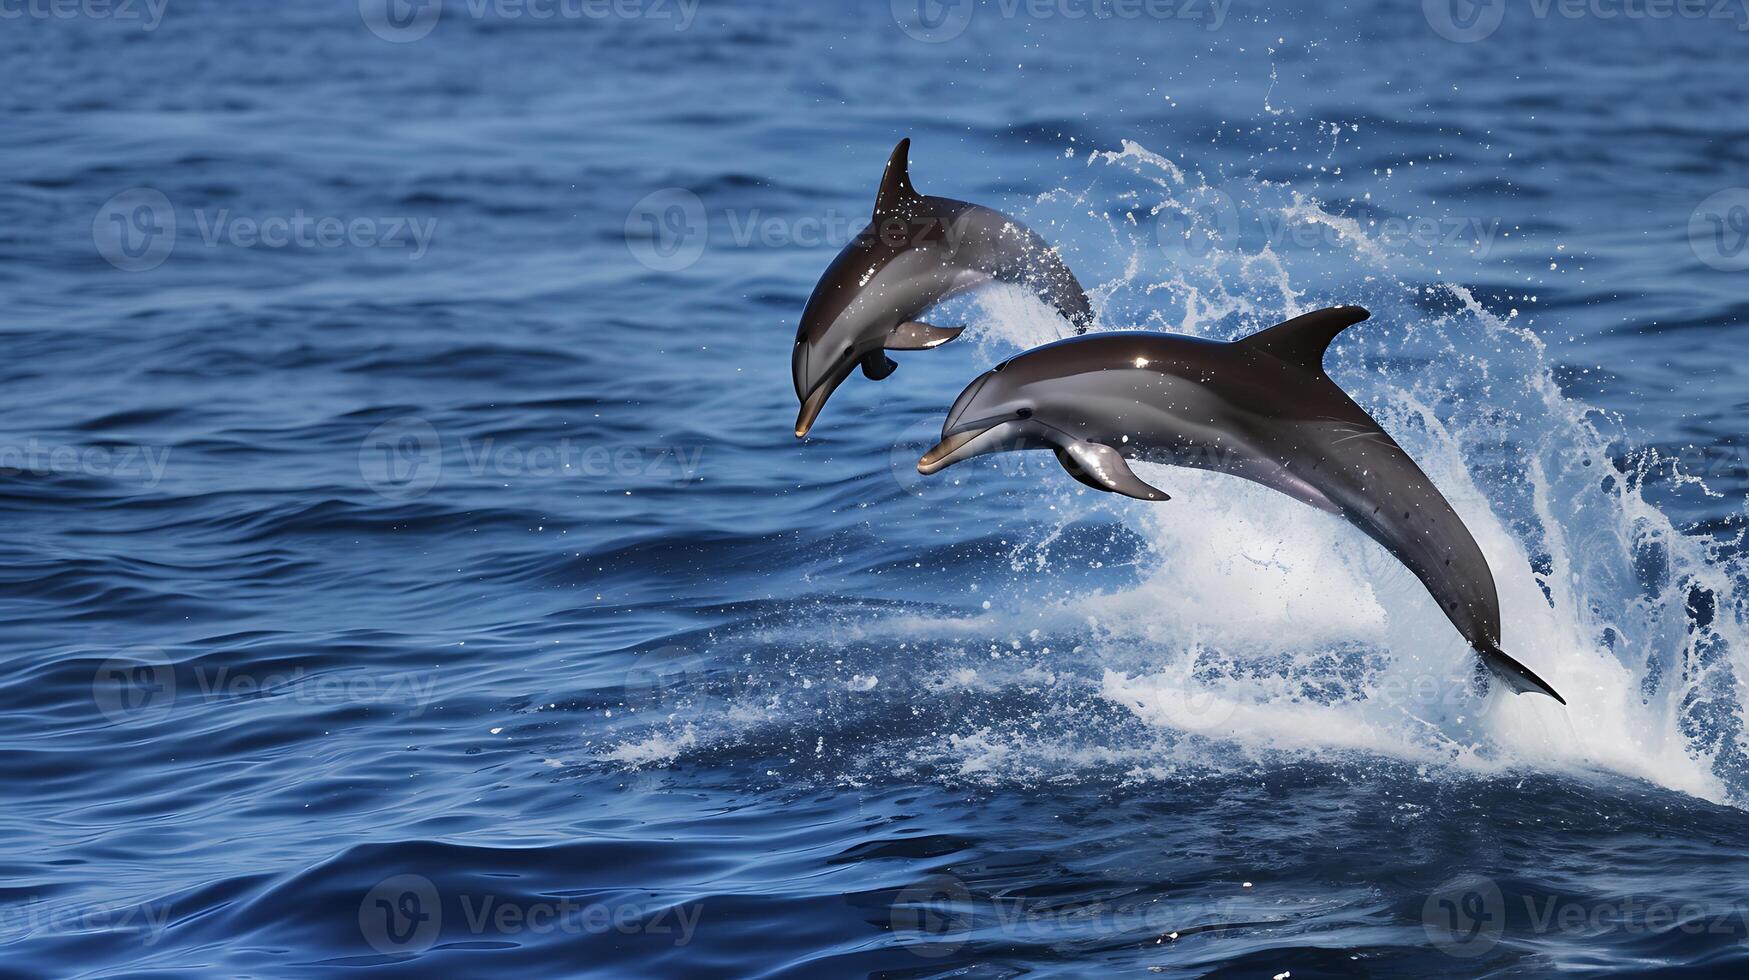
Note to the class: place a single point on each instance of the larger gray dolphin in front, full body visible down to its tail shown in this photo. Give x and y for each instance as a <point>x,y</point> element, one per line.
<point>1260,409</point>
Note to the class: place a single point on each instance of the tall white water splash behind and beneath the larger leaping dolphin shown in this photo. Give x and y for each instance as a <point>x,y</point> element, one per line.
<point>1279,629</point>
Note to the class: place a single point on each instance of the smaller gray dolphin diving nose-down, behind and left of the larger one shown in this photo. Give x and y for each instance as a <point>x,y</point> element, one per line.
<point>916,253</point>
